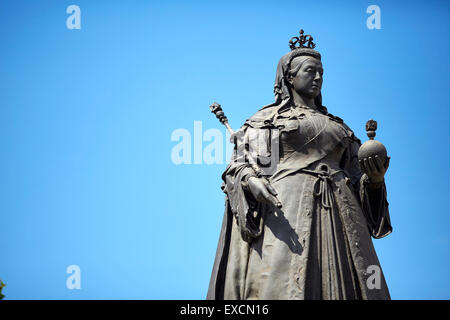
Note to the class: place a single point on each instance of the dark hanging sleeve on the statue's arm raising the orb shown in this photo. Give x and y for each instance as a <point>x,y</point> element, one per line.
<point>373,197</point>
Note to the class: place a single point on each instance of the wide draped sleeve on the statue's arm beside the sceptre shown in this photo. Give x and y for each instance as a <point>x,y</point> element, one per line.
<point>245,208</point>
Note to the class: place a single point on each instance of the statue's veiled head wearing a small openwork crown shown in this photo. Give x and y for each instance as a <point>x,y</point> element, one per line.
<point>300,70</point>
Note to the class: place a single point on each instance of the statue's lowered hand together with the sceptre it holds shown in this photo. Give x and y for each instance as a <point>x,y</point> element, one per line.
<point>259,185</point>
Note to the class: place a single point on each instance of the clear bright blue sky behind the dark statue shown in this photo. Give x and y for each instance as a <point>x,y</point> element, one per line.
<point>86,118</point>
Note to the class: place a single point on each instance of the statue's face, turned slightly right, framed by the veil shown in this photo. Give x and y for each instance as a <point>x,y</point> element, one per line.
<point>308,80</point>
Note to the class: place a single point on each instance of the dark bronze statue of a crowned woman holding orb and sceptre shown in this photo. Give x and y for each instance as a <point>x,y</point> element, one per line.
<point>301,207</point>
